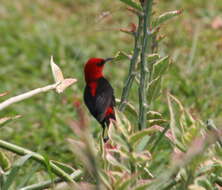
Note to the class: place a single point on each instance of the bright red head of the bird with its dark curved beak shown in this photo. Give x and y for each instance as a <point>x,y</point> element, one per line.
<point>94,69</point>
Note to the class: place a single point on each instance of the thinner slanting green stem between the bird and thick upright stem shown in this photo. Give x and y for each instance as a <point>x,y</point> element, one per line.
<point>132,70</point>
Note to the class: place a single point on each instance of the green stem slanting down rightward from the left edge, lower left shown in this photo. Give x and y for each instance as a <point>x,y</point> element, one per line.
<point>39,158</point>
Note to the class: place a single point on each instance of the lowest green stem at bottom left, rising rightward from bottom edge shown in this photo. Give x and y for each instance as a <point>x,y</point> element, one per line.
<point>49,183</point>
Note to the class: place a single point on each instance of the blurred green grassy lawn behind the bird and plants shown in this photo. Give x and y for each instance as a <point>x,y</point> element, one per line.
<point>73,31</point>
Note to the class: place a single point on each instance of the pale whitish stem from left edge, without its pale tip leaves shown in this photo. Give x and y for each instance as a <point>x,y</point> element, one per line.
<point>26,95</point>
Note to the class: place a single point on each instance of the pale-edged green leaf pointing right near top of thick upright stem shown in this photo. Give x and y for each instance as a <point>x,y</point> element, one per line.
<point>165,17</point>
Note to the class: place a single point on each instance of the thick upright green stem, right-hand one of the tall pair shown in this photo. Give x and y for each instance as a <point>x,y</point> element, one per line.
<point>144,71</point>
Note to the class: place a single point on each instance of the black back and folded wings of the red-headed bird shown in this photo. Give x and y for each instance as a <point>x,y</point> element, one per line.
<point>103,99</point>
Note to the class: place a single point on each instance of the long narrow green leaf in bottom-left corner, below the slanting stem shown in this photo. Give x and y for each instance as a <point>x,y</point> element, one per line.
<point>14,171</point>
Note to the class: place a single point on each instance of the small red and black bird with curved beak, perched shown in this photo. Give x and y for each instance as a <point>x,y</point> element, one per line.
<point>99,94</point>
